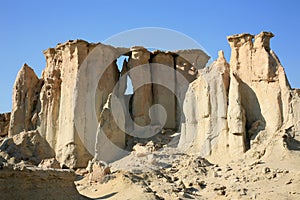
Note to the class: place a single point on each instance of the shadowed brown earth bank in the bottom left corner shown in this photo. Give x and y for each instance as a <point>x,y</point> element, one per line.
<point>36,183</point>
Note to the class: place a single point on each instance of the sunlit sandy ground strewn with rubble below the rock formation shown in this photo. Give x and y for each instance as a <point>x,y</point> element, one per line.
<point>170,174</point>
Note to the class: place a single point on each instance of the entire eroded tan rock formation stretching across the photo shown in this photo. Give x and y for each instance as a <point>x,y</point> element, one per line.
<point>225,108</point>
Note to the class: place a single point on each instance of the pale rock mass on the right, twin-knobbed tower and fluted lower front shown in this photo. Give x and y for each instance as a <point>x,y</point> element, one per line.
<point>251,95</point>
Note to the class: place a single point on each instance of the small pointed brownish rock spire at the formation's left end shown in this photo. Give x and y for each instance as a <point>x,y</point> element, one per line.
<point>25,101</point>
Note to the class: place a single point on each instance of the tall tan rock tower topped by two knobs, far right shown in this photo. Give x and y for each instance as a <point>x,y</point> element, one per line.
<point>264,88</point>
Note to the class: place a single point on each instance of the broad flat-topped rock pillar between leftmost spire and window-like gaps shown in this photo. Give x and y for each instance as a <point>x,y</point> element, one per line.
<point>66,91</point>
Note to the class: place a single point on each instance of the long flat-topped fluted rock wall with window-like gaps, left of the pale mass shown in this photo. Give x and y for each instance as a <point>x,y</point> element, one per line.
<point>79,78</point>
